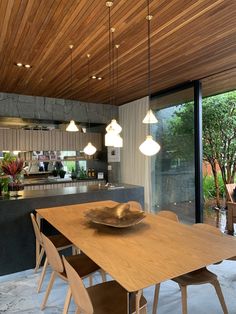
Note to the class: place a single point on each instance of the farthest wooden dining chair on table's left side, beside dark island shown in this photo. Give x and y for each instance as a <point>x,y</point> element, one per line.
<point>59,241</point>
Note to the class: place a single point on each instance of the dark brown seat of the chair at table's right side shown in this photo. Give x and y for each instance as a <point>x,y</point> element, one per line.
<point>196,277</point>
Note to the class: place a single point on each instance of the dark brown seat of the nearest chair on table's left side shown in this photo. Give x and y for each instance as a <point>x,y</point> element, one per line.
<point>109,297</point>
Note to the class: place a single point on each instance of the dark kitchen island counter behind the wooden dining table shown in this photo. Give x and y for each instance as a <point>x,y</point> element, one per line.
<point>17,240</point>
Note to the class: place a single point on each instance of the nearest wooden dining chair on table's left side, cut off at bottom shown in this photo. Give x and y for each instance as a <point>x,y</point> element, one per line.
<point>104,298</point>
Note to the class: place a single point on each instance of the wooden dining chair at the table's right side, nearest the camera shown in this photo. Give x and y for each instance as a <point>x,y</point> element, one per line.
<point>198,277</point>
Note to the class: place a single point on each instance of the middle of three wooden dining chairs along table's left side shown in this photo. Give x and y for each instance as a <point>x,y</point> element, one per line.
<point>82,264</point>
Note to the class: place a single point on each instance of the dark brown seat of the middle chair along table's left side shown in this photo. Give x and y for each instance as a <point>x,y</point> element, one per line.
<point>82,264</point>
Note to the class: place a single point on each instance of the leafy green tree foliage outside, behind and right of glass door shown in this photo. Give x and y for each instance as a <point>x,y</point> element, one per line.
<point>219,132</point>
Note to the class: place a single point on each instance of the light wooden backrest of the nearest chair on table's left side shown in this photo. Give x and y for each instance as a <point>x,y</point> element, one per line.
<point>79,292</point>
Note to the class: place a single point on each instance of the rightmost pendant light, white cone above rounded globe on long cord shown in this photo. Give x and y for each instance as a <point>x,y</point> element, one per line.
<point>149,147</point>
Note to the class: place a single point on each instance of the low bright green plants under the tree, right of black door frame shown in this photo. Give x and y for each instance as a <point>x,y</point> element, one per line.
<point>209,190</point>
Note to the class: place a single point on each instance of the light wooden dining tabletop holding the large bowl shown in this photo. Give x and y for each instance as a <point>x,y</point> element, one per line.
<point>151,252</point>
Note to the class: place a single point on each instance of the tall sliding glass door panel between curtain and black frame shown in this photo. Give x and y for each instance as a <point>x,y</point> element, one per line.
<point>173,168</point>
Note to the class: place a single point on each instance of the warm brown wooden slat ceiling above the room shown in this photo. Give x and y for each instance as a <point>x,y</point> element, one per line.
<point>190,40</point>
